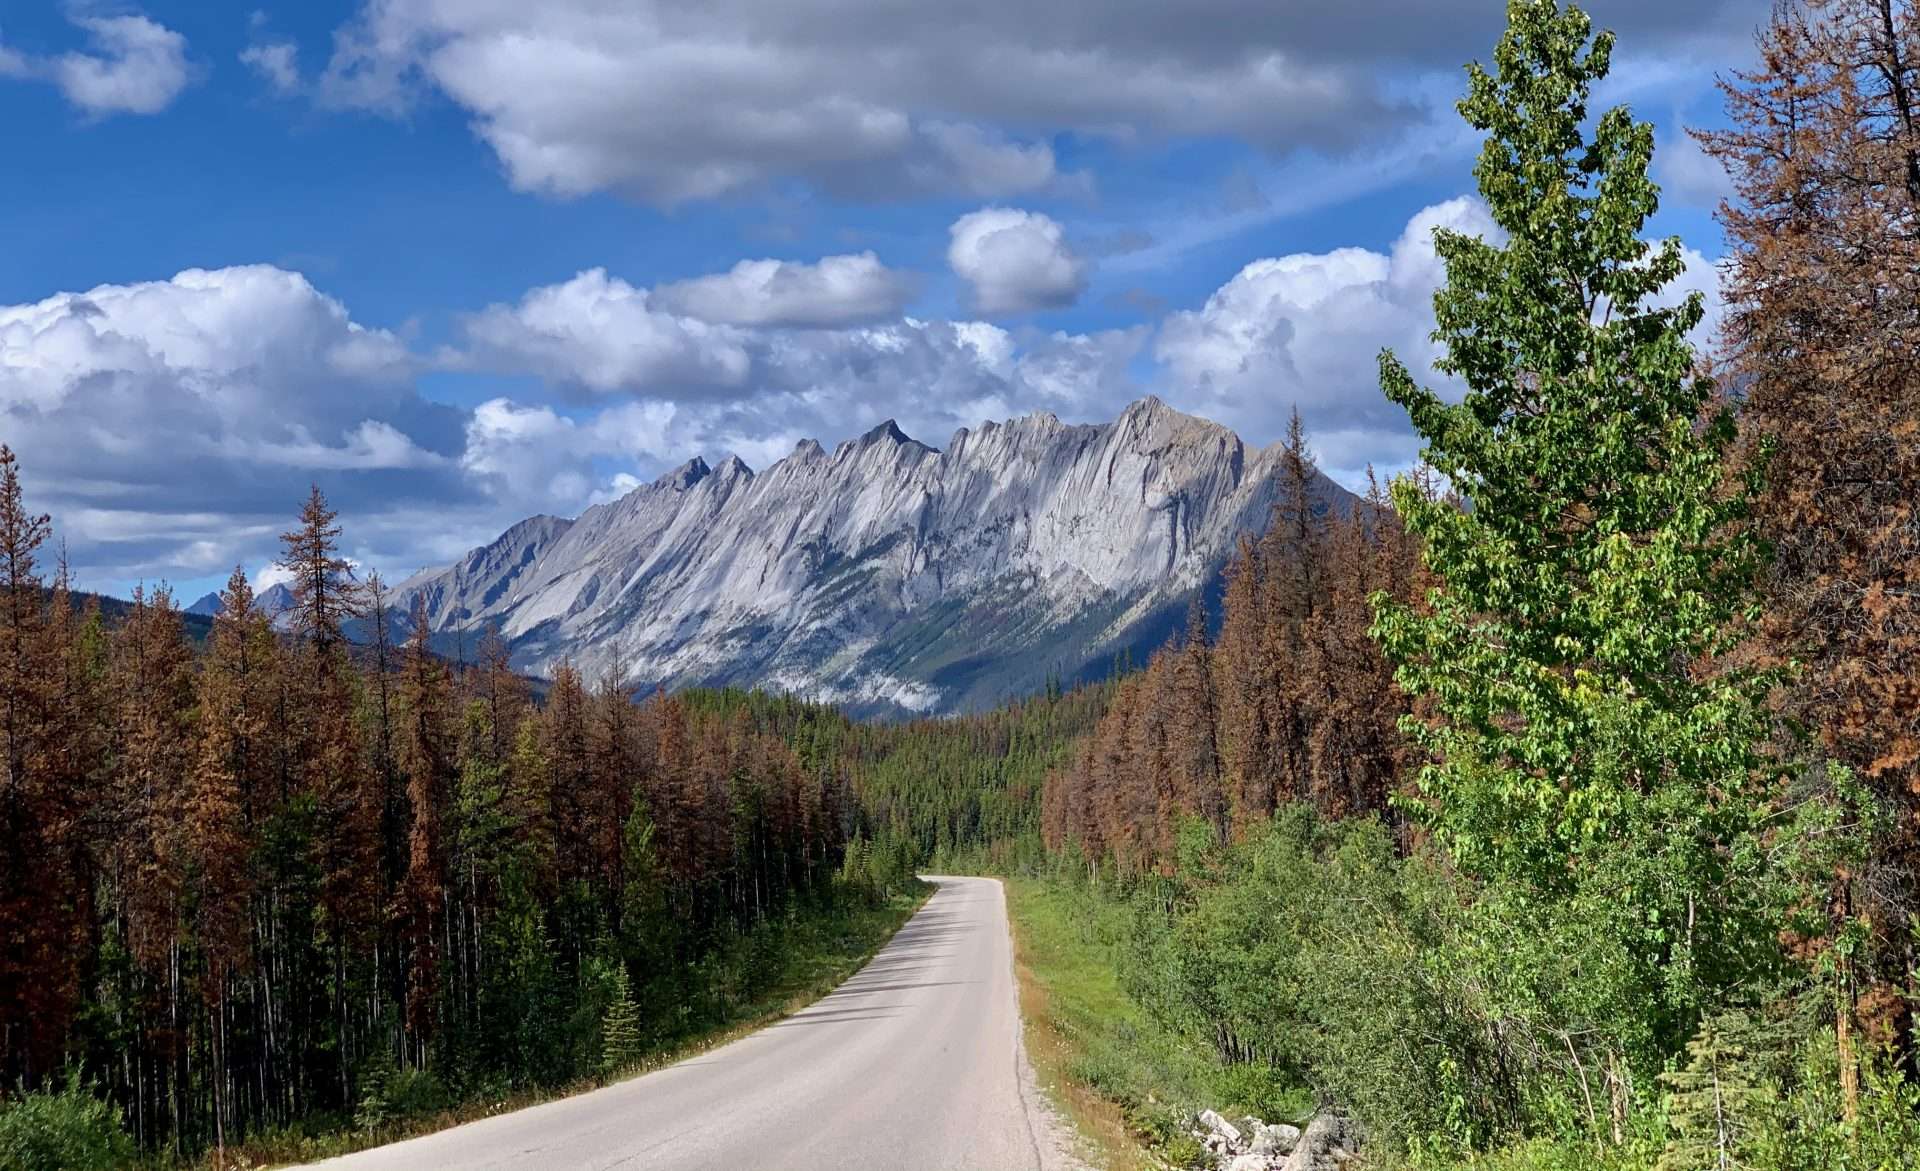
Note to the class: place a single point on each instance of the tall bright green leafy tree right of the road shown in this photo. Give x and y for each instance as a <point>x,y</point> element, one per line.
<point>1595,759</point>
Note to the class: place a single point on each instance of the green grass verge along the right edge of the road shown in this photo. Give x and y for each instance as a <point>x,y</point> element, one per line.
<point>1124,1080</point>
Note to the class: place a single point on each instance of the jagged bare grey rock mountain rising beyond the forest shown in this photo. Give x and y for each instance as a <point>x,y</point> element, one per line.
<point>888,575</point>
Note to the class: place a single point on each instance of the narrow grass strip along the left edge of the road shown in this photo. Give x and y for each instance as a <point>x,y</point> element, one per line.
<point>821,953</point>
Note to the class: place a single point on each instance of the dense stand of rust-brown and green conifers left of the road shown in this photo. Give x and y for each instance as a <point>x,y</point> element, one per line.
<point>283,876</point>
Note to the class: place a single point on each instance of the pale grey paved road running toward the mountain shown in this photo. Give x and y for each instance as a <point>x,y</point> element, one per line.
<point>915,1064</point>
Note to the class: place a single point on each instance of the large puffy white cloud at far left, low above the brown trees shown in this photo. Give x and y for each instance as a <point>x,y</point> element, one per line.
<point>174,425</point>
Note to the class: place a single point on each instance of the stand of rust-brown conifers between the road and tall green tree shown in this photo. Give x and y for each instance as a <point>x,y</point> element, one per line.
<point>1293,704</point>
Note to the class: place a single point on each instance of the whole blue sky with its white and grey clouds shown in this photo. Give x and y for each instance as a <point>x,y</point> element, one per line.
<point>469,260</point>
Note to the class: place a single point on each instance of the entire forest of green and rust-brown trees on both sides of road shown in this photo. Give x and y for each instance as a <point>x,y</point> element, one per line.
<point>1556,805</point>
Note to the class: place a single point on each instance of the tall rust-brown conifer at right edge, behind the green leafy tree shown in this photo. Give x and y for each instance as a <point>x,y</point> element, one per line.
<point>1825,337</point>
